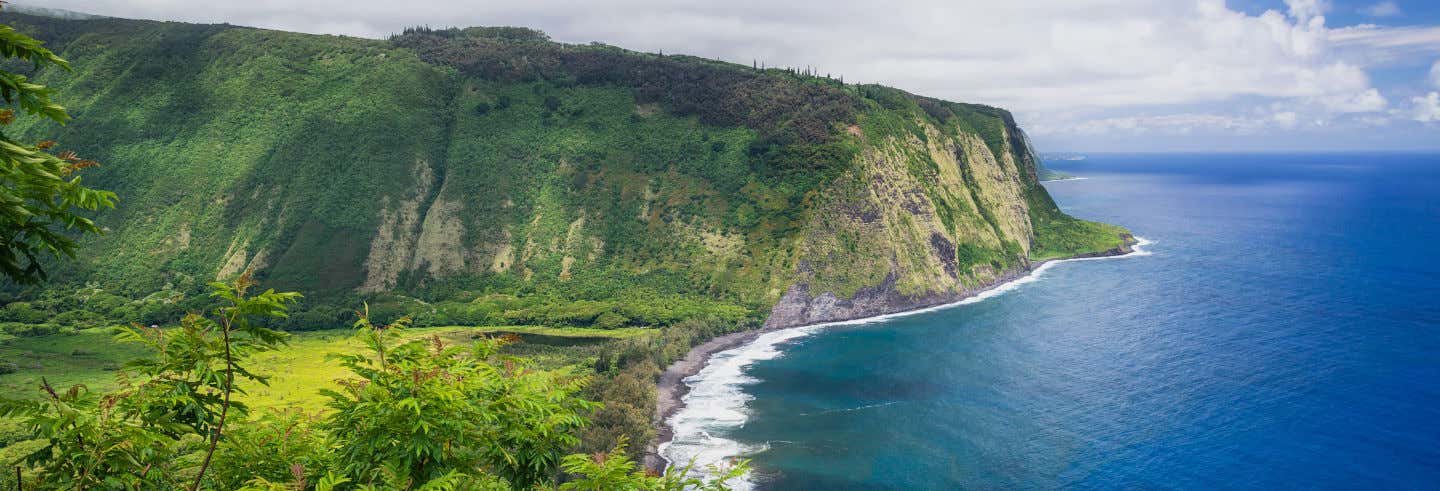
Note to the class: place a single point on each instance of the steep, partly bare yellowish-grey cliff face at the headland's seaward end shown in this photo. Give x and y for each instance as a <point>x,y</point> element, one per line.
<point>937,210</point>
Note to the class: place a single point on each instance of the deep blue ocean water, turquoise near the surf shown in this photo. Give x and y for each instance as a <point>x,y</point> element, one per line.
<point>1285,333</point>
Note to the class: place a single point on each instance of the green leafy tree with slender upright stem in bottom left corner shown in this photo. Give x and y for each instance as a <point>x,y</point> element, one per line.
<point>132,438</point>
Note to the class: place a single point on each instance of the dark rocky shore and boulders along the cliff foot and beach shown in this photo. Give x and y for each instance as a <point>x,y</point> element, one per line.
<point>798,309</point>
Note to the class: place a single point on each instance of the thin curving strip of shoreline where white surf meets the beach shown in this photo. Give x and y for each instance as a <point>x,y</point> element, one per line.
<point>672,389</point>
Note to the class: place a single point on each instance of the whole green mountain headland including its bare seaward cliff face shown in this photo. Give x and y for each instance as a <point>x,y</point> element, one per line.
<point>454,166</point>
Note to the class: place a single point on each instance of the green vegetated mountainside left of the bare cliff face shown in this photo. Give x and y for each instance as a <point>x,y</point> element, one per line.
<point>525,182</point>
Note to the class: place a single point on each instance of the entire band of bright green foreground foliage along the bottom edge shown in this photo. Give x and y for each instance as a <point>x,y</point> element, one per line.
<point>413,414</point>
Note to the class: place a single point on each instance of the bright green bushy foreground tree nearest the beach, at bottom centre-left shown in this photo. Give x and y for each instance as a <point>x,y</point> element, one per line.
<point>421,410</point>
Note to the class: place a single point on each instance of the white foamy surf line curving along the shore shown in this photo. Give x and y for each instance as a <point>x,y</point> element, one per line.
<point>716,401</point>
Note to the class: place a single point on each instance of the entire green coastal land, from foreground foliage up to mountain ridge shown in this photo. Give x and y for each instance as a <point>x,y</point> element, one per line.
<point>535,230</point>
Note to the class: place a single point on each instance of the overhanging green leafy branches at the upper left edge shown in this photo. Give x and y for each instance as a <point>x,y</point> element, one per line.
<point>40,192</point>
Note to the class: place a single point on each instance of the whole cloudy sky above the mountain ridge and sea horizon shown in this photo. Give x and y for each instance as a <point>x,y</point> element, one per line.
<point>1081,76</point>
